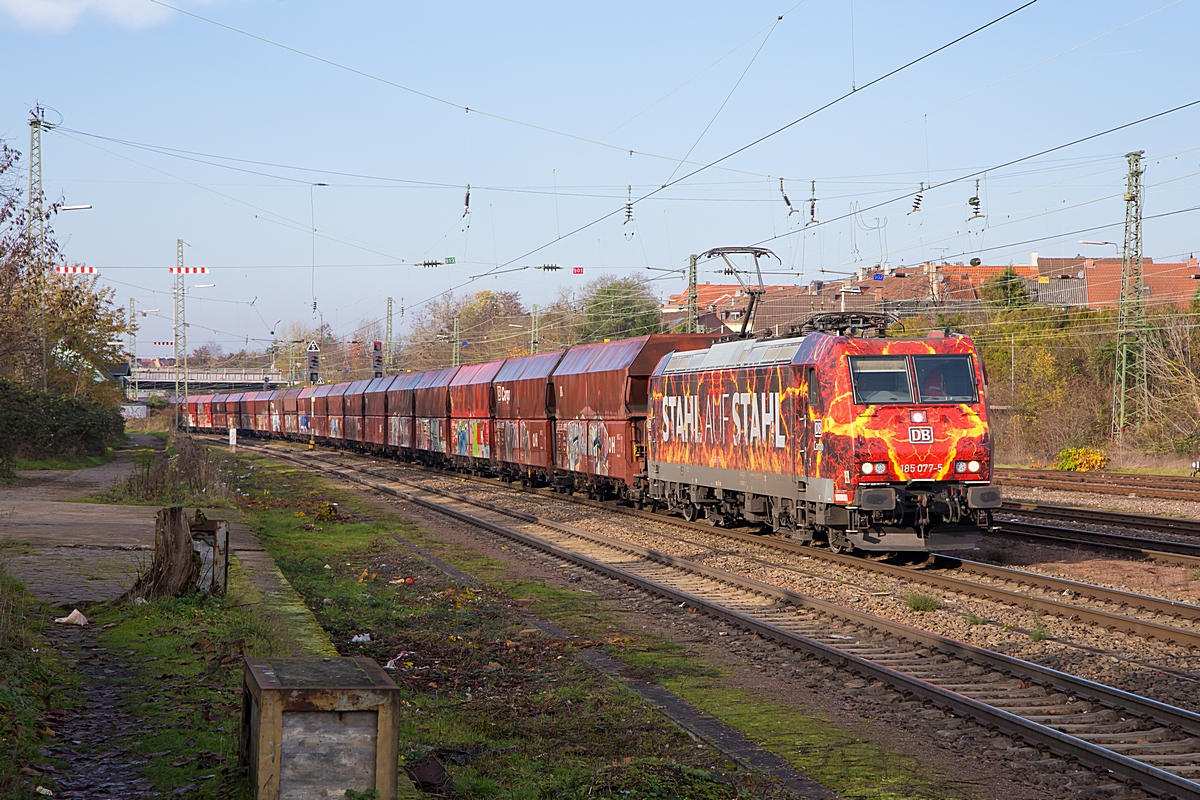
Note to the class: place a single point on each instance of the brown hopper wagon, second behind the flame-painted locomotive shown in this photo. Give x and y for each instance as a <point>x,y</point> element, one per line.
<point>525,413</point>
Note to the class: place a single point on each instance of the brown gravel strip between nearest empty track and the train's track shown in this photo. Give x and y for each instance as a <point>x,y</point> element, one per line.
<point>1163,672</point>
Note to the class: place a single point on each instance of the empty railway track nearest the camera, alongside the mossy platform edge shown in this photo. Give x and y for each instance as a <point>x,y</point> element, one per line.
<point>1132,738</point>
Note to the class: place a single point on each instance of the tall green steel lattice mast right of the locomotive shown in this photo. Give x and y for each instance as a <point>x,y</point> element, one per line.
<point>1131,386</point>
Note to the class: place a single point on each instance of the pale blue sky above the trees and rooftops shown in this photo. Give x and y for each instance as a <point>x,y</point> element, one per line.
<point>323,151</point>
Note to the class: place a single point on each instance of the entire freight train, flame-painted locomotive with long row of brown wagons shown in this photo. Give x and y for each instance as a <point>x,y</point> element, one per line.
<point>831,437</point>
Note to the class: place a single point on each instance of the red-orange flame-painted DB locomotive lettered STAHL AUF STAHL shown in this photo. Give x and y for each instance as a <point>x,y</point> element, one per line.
<point>868,443</point>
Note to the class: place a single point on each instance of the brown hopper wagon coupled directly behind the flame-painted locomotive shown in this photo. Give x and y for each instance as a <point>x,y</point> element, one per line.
<point>601,396</point>
